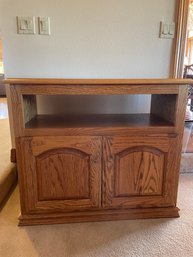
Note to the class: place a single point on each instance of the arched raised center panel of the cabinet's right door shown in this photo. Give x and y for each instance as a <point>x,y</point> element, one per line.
<point>139,171</point>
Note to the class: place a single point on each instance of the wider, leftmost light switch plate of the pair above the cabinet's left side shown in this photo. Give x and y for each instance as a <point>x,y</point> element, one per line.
<point>26,25</point>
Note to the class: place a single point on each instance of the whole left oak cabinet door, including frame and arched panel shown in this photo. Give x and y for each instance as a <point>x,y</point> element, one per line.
<point>59,173</point>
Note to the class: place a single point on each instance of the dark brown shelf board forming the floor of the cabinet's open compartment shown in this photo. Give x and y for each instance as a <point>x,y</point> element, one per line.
<point>97,120</point>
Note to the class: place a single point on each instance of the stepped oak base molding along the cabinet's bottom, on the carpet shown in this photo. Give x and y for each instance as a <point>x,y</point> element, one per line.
<point>101,215</point>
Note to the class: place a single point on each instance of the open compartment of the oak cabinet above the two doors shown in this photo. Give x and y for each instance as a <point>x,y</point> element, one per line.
<point>67,112</point>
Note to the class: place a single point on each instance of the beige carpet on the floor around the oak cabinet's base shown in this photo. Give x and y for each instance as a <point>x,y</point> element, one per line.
<point>136,238</point>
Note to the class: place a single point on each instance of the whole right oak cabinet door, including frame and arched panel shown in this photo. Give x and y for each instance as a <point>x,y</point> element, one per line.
<point>139,172</point>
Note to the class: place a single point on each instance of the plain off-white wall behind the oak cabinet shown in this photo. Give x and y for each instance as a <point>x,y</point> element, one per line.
<point>90,39</point>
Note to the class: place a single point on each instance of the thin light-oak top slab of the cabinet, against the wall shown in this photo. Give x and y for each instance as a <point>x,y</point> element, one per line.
<point>52,81</point>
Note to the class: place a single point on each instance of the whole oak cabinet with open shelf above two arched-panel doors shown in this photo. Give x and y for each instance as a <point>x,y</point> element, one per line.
<point>75,168</point>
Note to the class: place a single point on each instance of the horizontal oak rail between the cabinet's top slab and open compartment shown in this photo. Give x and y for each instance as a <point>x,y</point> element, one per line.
<point>97,89</point>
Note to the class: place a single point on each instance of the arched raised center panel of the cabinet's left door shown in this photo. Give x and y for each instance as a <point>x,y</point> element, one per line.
<point>63,174</point>
